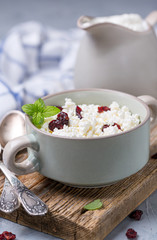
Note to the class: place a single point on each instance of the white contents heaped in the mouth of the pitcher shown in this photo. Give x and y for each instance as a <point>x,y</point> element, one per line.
<point>131,21</point>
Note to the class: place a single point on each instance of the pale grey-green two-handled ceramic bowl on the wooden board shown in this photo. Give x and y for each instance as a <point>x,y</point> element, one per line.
<point>86,162</point>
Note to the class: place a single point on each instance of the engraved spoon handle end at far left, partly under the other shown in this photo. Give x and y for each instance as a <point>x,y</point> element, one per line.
<point>8,200</point>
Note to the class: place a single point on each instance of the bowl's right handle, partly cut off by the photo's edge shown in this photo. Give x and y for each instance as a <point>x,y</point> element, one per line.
<point>152,104</point>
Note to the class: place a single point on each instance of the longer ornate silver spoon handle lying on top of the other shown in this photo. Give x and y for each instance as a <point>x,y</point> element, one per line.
<point>31,203</point>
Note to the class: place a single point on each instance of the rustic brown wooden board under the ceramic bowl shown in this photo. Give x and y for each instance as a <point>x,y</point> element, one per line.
<point>65,218</point>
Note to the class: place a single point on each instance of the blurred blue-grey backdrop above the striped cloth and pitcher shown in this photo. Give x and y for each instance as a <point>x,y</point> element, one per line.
<point>63,14</point>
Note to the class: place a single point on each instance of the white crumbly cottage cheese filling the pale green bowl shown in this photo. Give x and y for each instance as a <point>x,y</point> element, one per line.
<point>92,121</point>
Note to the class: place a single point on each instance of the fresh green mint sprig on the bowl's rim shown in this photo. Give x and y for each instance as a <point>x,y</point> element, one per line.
<point>38,111</point>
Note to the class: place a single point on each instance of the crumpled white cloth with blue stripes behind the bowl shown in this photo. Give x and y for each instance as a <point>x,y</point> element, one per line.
<point>34,61</point>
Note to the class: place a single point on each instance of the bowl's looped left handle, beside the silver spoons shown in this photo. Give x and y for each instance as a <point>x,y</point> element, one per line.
<point>31,164</point>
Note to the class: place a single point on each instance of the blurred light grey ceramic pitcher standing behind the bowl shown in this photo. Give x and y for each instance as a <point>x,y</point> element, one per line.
<point>115,57</point>
